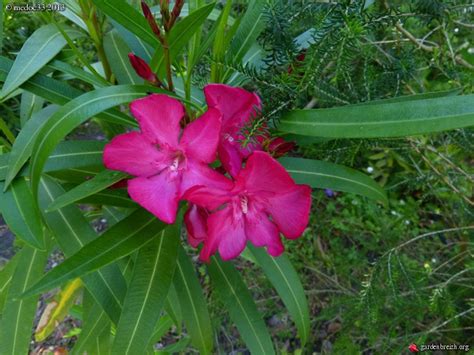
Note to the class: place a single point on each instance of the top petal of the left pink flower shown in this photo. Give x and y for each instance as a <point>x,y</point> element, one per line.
<point>159,116</point>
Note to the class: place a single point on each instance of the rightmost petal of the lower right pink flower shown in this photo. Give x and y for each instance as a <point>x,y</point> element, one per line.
<point>290,210</point>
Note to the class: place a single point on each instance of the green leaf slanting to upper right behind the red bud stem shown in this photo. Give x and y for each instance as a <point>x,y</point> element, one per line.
<point>180,35</point>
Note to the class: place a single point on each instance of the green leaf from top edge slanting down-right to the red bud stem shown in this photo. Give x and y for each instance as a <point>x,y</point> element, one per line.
<point>127,16</point>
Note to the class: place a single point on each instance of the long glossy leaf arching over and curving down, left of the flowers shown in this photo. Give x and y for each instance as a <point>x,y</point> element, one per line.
<point>72,115</point>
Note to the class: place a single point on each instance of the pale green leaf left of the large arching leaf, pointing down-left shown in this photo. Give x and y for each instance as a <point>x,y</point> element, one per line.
<point>23,145</point>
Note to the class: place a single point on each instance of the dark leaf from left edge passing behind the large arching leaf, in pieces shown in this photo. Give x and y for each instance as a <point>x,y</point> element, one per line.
<point>58,92</point>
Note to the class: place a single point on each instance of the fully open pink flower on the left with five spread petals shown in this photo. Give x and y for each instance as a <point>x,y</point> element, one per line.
<point>165,161</point>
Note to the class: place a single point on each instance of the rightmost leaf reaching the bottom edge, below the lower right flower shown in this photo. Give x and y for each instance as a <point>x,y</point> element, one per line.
<point>238,301</point>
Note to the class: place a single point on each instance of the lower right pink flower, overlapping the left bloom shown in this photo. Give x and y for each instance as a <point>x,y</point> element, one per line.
<point>263,202</point>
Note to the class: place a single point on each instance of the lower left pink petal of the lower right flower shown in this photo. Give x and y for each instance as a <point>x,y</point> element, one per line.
<point>226,233</point>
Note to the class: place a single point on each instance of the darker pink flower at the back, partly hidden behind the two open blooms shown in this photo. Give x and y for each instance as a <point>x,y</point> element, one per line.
<point>238,107</point>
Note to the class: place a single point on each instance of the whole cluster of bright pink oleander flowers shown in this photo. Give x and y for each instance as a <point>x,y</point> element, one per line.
<point>250,197</point>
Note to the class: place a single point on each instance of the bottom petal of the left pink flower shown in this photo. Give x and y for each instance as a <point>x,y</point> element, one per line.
<point>158,194</point>
